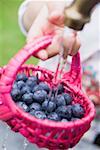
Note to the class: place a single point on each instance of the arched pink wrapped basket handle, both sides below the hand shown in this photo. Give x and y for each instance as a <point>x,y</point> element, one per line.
<point>18,60</point>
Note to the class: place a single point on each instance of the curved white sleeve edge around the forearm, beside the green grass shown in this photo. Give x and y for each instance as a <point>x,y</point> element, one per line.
<point>21,12</point>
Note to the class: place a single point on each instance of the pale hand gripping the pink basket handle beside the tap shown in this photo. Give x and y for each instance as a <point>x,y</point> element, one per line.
<point>52,23</point>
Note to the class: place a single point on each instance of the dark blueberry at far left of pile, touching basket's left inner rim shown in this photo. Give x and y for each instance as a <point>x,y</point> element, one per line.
<point>16,95</point>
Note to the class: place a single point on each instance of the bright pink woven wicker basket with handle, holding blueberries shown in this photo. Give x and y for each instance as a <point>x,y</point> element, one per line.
<point>45,133</point>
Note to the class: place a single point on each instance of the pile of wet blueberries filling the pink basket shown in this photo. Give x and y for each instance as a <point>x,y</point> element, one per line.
<point>38,99</point>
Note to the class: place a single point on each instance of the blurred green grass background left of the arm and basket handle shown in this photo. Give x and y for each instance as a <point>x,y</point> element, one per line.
<point>11,38</point>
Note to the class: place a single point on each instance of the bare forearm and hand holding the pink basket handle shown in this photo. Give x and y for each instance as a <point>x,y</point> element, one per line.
<point>43,18</point>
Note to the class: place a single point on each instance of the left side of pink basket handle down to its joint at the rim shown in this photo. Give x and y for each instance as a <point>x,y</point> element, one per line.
<point>12,68</point>
